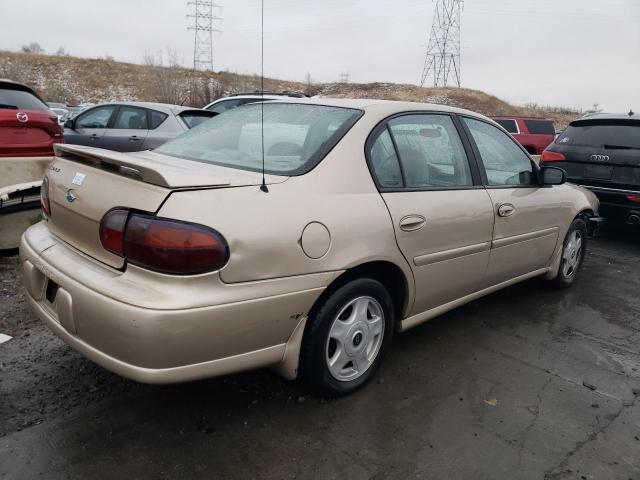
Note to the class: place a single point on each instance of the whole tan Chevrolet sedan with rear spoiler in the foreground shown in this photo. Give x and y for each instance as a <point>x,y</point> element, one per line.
<point>297,234</point>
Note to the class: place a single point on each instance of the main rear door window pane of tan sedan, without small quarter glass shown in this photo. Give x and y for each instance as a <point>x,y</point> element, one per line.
<point>431,152</point>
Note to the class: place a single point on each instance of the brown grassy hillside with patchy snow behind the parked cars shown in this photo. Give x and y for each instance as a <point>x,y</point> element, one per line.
<point>76,80</point>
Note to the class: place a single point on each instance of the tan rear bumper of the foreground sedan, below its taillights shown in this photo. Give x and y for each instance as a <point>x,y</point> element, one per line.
<point>249,327</point>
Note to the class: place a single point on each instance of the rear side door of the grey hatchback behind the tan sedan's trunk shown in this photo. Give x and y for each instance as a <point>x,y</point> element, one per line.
<point>128,131</point>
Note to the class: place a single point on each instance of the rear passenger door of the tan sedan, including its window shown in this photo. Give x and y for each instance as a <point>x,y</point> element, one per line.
<point>442,216</point>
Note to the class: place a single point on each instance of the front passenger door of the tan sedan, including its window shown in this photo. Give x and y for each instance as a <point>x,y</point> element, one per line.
<point>527,219</point>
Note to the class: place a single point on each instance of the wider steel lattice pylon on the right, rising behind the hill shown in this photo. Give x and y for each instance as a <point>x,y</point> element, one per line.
<point>443,51</point>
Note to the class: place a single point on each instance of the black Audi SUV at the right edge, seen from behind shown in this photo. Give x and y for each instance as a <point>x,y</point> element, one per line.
<point>602,153</point>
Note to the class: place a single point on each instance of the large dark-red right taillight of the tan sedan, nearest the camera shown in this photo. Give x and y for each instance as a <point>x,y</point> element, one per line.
<point>162,244</point>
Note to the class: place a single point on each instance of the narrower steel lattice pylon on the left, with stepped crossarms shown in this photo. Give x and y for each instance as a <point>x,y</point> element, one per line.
<point>203,26</point>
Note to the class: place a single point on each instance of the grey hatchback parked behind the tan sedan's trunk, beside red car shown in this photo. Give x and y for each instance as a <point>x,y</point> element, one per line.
<point>131,126</point>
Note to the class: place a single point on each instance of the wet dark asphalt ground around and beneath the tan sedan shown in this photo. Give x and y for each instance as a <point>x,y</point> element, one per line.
<point>527,383</point>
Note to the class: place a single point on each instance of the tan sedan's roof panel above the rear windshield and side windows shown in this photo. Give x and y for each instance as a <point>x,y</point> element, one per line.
<point>380,107</point>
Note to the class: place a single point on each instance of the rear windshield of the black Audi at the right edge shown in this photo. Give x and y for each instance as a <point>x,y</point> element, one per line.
<point>601,136</point>
